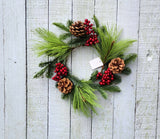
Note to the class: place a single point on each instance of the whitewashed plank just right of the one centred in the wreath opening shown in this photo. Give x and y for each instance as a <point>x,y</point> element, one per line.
<point>105,10</point>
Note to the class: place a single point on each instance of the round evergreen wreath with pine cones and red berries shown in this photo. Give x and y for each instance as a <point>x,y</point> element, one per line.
<point>105,40</point>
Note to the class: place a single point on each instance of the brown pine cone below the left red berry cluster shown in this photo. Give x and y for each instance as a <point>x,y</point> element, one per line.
<point>65,85</point>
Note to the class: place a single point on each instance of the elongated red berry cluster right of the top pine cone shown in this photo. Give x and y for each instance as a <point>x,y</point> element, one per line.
<point>89,31</point>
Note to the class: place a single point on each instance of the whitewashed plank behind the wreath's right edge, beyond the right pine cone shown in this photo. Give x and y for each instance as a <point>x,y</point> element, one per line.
<point>124,102</point>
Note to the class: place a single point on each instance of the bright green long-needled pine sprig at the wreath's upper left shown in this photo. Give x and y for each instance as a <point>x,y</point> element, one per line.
<point>51,45</point>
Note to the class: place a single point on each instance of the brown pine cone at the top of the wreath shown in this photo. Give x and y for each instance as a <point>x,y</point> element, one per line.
<point>77,29</point>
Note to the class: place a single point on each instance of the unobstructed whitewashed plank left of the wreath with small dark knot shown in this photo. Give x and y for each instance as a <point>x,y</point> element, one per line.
<point>15,68</point>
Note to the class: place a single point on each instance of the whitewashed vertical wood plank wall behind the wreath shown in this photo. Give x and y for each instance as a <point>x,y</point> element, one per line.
<point>33,108</point>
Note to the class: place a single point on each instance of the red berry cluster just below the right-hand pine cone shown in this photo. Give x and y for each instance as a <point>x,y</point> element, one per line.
<point>107,77</point>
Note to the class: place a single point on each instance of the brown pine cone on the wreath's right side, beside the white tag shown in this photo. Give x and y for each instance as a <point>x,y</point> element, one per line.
<point>116,65</point>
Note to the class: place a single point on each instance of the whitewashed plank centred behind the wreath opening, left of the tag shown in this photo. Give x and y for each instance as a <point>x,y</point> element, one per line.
<point>81,125</point>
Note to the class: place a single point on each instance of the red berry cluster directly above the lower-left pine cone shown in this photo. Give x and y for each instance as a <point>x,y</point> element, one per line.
<point>61,71</point>
